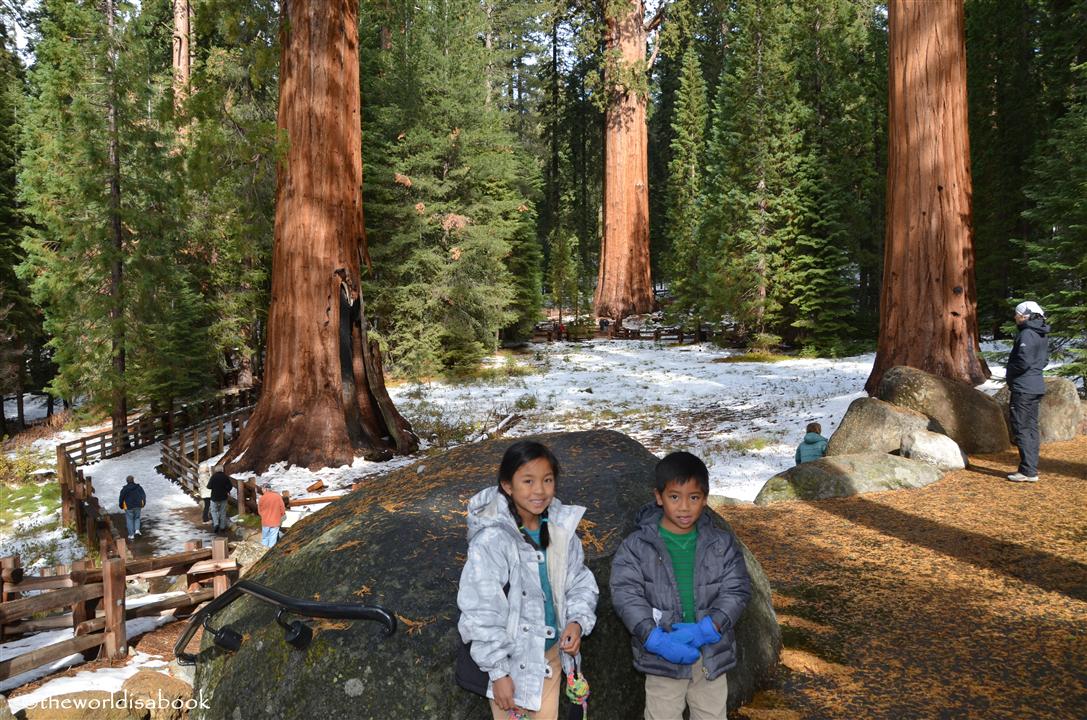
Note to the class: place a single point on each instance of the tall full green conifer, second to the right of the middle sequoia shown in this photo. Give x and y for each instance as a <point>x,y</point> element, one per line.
<point>753,162</point>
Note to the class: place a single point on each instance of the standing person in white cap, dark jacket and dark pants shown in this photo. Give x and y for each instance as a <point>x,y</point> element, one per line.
<point>1029,358</point>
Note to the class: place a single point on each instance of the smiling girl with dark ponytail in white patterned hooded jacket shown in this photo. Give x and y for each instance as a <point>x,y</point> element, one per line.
<point>526,592</point>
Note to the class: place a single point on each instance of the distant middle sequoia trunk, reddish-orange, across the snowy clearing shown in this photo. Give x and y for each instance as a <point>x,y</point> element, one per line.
<point>624,287</point>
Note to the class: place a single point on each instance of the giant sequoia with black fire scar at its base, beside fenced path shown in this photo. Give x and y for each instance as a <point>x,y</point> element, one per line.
<point>324,396</point>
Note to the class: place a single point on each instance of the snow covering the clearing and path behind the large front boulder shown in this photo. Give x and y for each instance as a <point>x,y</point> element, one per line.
<point>745,419</point>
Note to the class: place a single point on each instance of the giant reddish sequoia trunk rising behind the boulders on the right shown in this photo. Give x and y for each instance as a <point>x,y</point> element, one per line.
<point>929,308</point>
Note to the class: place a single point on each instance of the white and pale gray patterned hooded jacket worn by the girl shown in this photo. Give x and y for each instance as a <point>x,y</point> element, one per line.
<point>508,631</point>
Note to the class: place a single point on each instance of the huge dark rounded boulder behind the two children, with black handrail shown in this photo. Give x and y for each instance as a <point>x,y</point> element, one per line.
<point>399,541</point>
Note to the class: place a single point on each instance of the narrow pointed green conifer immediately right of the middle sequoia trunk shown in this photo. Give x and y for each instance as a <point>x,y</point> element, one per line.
<point>688,279</point>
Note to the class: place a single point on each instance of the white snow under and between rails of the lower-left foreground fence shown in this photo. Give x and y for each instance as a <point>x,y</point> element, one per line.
<point>29,643</point>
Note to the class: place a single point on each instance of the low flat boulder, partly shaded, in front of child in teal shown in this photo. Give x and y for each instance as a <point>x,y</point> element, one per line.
<point>847,475</point>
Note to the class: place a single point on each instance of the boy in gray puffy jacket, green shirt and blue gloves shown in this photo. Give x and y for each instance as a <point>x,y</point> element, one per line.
<point>680,585</point>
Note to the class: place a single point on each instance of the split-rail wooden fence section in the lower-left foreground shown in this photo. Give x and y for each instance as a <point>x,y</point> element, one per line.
<point>92,600</point>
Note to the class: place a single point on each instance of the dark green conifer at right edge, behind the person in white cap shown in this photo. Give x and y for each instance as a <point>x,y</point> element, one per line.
<point>1057,259</point>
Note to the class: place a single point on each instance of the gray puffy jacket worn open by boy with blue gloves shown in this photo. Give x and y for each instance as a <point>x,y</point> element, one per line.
<point>645,594</point>
